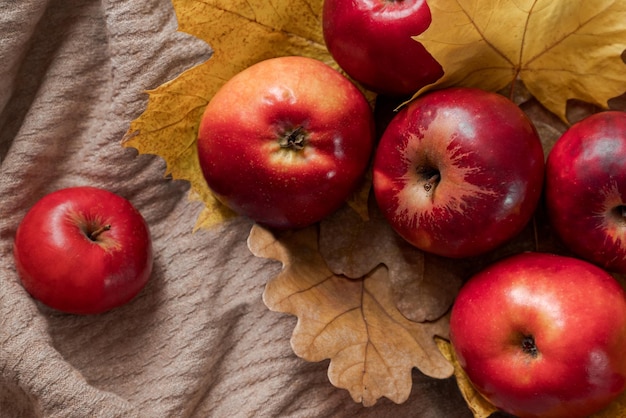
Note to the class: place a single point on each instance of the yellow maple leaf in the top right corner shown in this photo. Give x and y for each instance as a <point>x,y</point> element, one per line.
<point>558,50</point>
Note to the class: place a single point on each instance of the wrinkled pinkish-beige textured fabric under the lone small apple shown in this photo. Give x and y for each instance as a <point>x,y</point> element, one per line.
<point>197,341</point>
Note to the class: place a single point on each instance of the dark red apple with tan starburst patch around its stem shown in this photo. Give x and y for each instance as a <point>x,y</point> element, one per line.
<point>489,162</point>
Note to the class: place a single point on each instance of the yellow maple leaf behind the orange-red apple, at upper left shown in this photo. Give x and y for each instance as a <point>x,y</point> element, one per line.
<point>240,34</point>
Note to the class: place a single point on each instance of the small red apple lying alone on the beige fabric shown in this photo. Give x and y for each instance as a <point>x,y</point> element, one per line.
<point>62,267</point>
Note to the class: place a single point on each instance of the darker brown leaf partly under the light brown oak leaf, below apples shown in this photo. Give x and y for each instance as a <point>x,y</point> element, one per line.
<point>423,286</point>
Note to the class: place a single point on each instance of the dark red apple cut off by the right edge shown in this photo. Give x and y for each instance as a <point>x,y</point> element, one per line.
<point>586,189</point>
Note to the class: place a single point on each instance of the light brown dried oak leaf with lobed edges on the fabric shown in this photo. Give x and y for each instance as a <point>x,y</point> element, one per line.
<point>372,347</point>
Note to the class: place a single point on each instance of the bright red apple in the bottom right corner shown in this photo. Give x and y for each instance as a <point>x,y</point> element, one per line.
<point>570,311</point>
